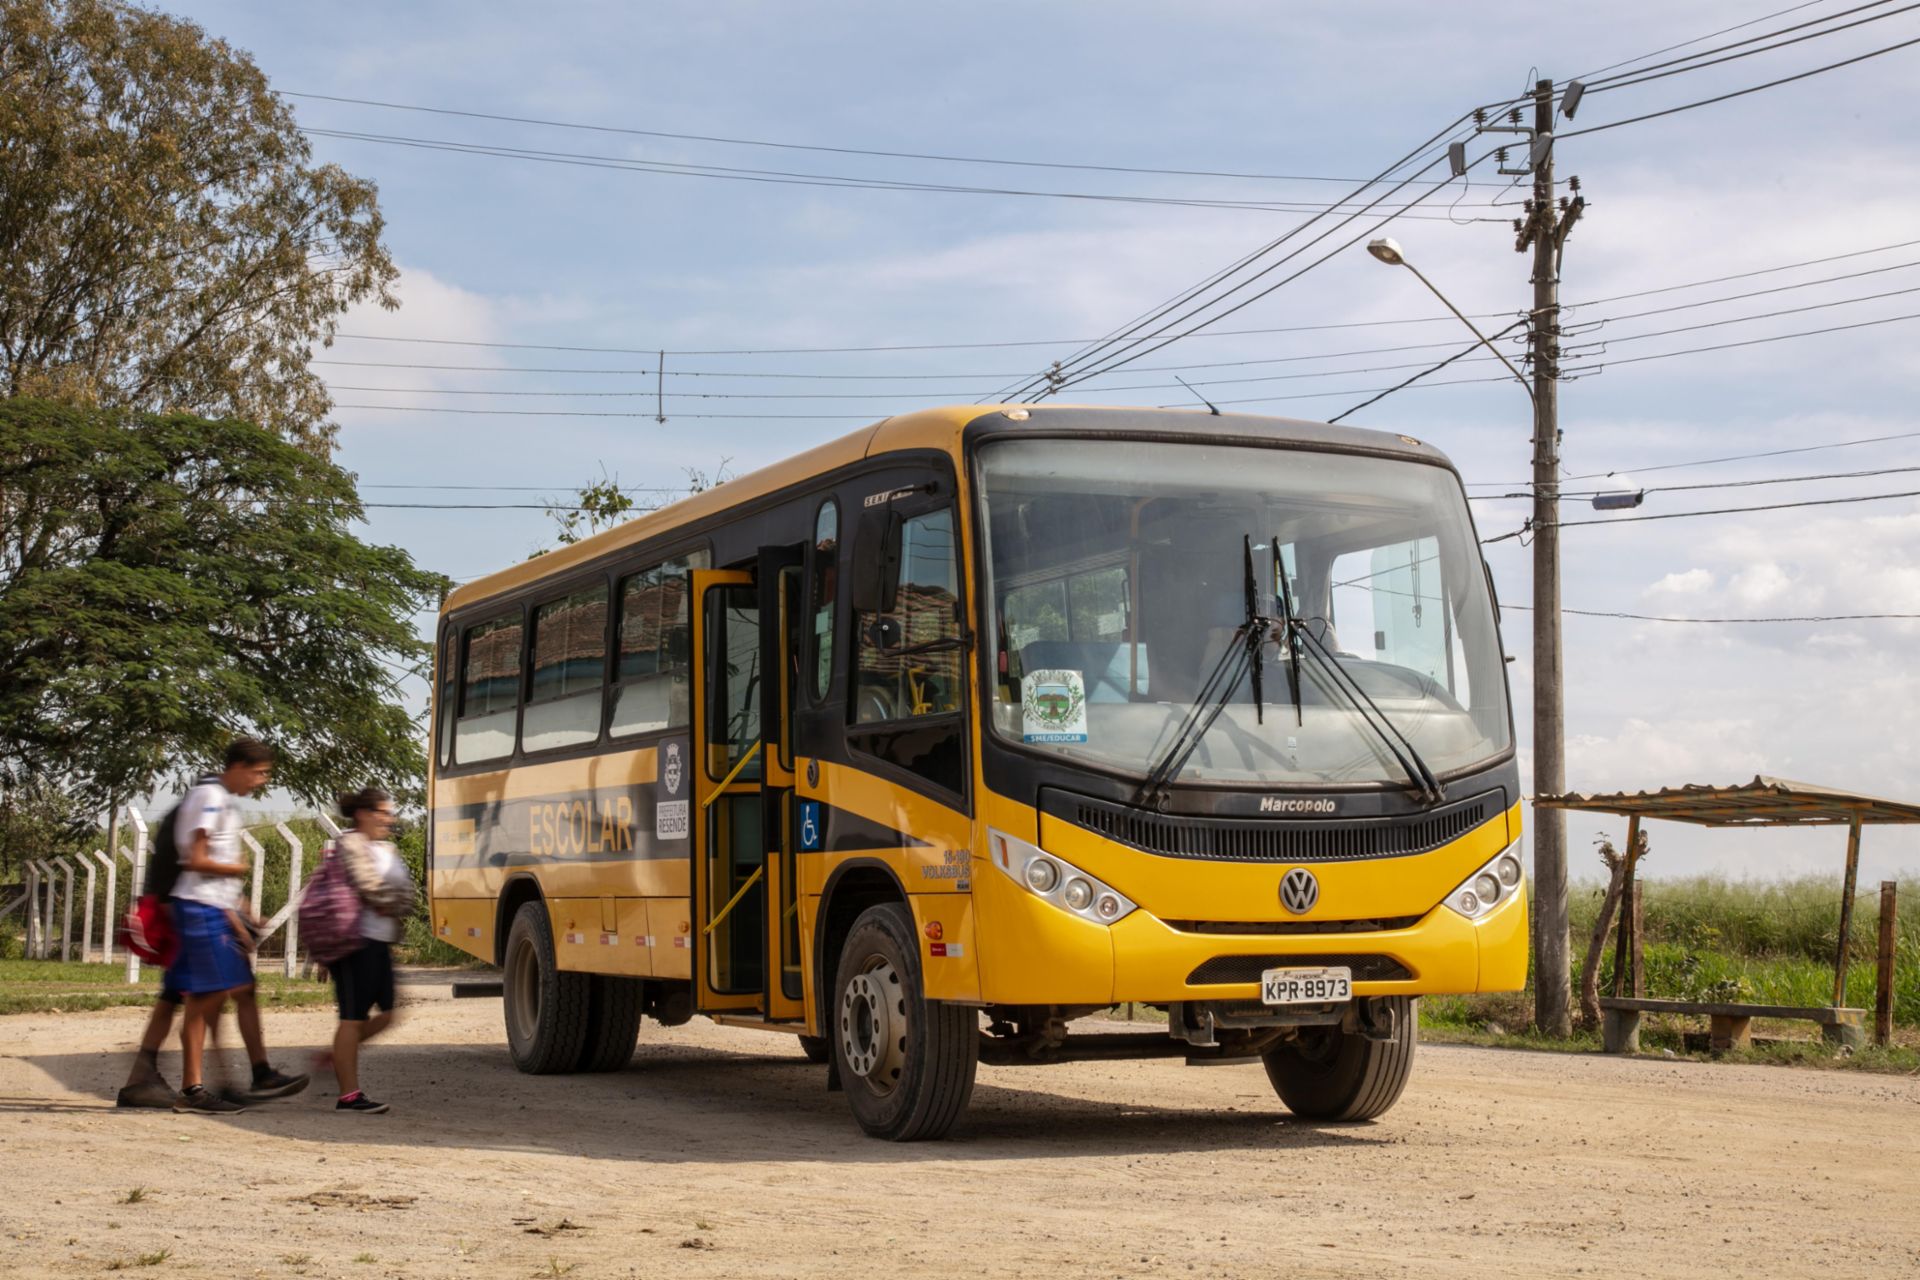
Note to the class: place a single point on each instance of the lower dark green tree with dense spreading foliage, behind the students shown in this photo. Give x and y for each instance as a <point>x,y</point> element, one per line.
<point>168,582</point>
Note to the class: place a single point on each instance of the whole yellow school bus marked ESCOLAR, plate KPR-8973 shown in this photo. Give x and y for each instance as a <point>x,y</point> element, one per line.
<point>932,742</point>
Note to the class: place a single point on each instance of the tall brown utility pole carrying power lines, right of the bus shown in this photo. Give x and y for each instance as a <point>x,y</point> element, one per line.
<point>1545,231</point>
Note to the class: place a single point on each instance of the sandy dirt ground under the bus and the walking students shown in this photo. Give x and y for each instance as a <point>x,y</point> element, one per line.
<point>721,1154</point>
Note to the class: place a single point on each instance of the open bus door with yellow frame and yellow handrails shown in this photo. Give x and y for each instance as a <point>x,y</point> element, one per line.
<point>746,932</point>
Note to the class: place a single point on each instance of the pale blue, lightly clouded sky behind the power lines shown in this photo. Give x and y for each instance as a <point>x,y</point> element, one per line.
<point>517,252</point>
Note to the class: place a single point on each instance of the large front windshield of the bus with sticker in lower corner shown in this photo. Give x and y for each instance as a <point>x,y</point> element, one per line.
<point>1118,581</point>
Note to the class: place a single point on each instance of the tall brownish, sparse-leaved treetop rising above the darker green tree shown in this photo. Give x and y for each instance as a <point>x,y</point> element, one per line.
<point>168,241</point>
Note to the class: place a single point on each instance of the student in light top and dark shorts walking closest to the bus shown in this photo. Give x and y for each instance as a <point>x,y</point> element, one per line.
<point>364,978</point>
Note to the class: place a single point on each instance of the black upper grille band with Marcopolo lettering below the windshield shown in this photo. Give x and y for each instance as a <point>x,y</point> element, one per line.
<point>1272,840</point>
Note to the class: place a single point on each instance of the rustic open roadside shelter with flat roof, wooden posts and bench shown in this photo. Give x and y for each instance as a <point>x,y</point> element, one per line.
<point>1762,803</point>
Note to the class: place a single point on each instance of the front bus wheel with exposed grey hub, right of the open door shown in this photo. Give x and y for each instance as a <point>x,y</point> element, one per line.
<point>905,1062</point>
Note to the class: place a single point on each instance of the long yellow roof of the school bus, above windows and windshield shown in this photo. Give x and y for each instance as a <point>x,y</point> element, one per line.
<point>936,429</point>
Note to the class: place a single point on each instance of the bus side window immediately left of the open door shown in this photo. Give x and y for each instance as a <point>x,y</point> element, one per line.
<point>652,680</point>
